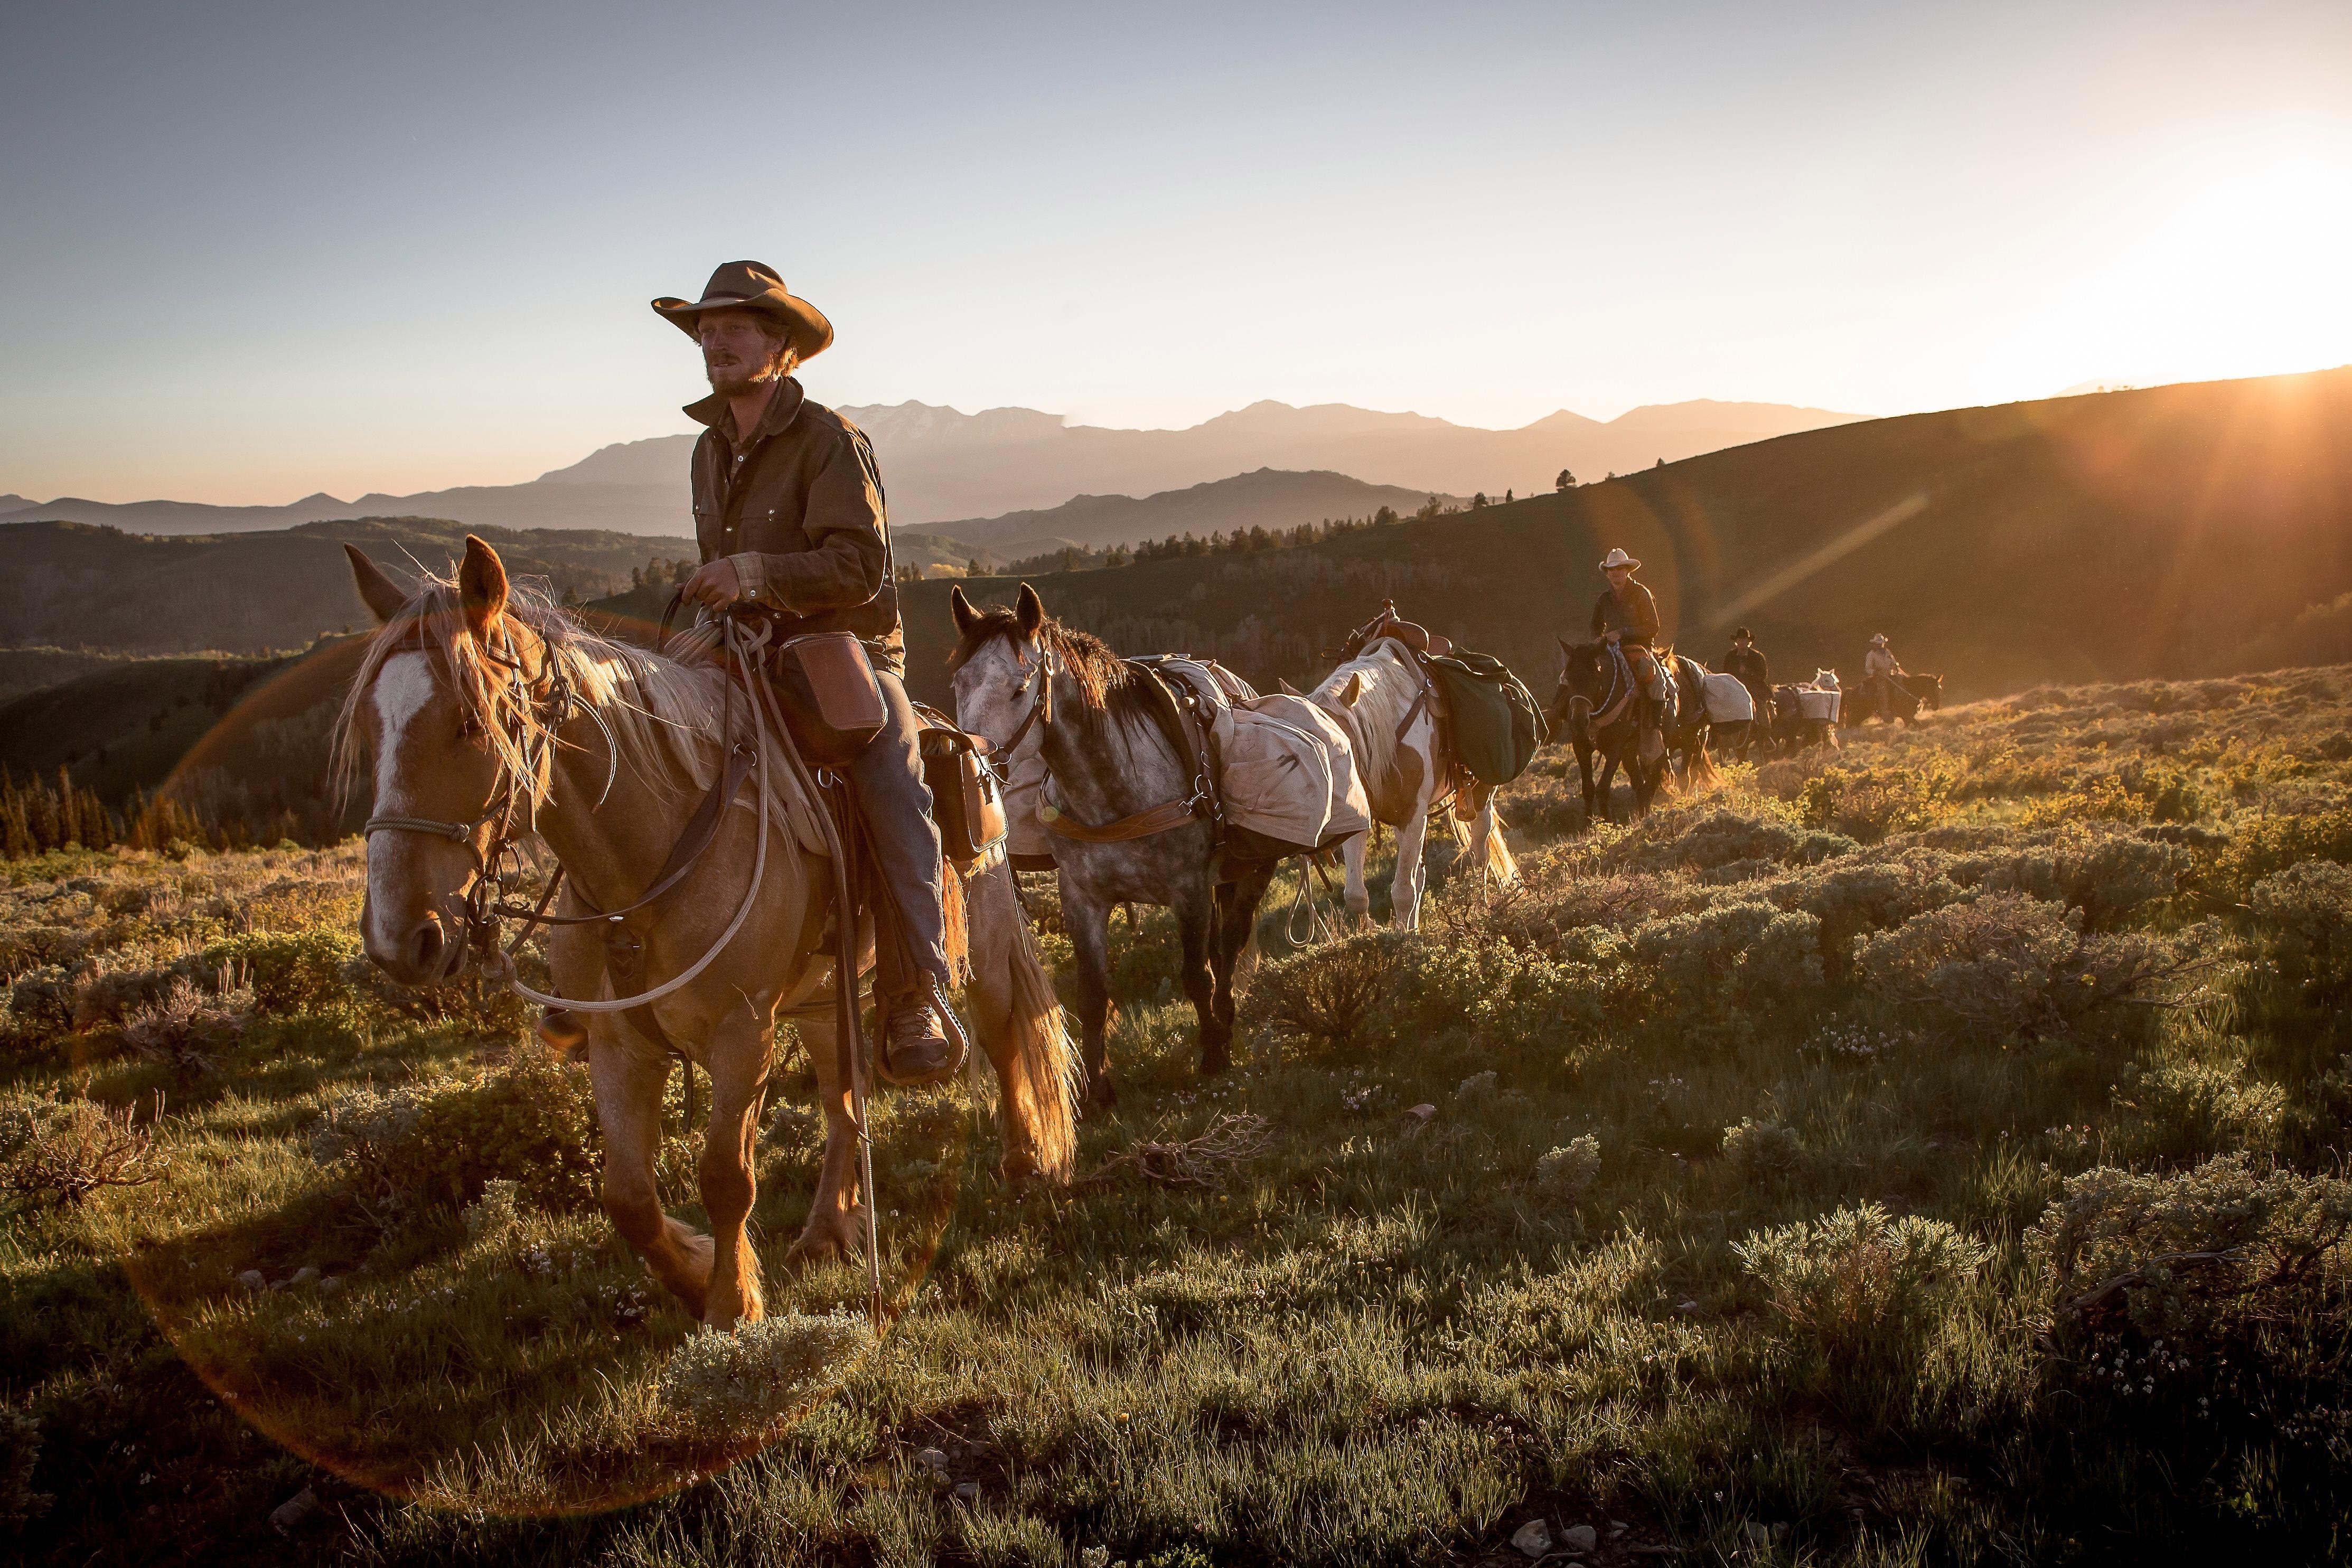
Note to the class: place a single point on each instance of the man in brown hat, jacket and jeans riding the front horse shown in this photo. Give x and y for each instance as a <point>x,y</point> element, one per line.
<point>791,525</point>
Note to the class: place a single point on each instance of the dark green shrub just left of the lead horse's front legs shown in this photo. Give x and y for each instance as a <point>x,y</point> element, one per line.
<point>443,1141</point>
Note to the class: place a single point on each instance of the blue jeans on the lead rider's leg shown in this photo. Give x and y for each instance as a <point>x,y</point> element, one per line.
<point>904,845</point>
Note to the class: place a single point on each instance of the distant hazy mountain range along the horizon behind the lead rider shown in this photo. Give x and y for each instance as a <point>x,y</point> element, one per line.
<point>942,464</point>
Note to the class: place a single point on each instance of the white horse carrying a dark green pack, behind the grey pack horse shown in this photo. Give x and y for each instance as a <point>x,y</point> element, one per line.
<point>1389,709</point>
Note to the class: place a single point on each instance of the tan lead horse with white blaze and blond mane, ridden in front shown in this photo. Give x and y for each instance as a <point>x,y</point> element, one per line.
<point>490,716</point>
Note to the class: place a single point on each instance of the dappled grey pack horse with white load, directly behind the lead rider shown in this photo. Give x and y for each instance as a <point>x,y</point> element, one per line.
<point>1132,815</point>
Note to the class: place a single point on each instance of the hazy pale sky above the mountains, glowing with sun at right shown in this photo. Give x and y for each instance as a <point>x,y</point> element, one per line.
<point>265,250</point>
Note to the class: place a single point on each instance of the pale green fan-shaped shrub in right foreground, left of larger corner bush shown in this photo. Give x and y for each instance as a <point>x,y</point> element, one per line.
<point>1855,1282</point>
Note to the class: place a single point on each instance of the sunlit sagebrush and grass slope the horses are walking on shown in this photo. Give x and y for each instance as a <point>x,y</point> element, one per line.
<point>1927,1153</point>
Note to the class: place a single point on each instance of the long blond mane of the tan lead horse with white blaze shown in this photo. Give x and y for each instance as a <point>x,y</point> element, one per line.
<point>664,718</point>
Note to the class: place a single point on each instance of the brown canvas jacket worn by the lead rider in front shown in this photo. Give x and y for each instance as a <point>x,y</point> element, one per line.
<point>799,509</point>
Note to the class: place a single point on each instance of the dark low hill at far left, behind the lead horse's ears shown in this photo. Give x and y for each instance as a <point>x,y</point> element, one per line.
<point>98,589</point>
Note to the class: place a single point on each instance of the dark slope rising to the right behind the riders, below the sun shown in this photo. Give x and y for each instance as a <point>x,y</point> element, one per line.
<point>2113,537</point>
